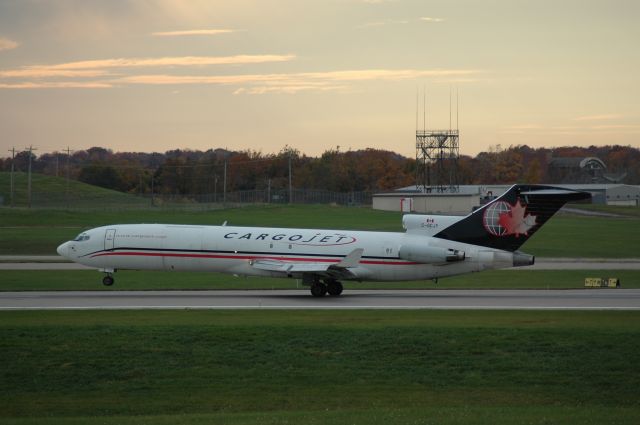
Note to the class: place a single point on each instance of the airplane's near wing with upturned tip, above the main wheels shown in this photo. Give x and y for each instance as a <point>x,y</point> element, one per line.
<point>335,270</point>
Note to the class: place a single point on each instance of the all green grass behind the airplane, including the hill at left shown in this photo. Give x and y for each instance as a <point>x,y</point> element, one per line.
<point>39,231</point>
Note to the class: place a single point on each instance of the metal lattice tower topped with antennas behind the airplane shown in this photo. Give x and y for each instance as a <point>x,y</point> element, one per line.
<point>437,153</point>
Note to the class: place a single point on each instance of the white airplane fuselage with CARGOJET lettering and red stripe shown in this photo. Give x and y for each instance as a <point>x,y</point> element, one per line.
<point>229,249</point>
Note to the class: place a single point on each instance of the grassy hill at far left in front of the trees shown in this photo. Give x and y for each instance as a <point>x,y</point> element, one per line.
<point>52,192</point>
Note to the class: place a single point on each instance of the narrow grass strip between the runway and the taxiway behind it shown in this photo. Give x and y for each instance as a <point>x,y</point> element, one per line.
<point>80,280</point>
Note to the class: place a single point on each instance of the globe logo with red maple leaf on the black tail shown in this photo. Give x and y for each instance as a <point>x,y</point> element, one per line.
<point>504,219</point>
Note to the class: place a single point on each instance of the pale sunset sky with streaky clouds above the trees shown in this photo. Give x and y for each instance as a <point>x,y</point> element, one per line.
<point>156,75</point>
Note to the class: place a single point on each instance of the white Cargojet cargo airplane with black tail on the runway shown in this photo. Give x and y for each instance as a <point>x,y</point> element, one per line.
<point>432,246</point>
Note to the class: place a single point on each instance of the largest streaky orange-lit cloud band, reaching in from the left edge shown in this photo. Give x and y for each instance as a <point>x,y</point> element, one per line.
<point>119,72</point>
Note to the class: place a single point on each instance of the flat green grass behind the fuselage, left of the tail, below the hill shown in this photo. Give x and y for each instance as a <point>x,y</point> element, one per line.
<point>40,232</point>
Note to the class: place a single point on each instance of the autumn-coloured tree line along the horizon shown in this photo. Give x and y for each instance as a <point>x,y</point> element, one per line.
<point>184,172</point>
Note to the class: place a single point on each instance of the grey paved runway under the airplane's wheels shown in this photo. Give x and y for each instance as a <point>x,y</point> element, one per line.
<point>580,299</point>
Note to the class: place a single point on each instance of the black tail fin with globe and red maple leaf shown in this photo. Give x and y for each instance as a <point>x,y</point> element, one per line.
<point>508,221</point>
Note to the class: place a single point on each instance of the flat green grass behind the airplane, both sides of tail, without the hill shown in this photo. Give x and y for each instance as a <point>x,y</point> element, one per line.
<point>24,231</point>
